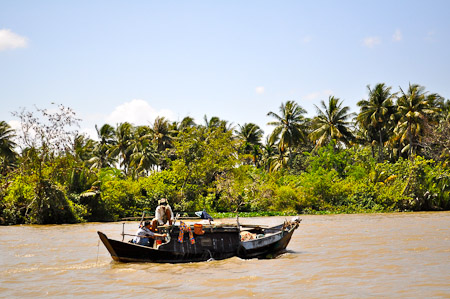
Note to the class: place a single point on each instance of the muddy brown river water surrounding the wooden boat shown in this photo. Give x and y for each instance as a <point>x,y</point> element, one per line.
<point>401,255</point>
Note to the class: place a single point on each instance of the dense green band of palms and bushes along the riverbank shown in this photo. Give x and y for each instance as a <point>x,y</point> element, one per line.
<point>392,156</point>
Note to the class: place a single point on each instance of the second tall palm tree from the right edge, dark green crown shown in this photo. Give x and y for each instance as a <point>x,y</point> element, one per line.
<point>375,114</point>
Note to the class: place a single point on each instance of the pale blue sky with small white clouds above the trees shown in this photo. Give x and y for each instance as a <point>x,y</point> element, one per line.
<point>116,61</point>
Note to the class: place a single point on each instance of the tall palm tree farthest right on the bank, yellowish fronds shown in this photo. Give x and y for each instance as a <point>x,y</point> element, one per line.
<point>415,109</point>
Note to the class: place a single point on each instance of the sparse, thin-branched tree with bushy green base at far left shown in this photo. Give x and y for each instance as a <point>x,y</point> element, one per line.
<point>45,141</point>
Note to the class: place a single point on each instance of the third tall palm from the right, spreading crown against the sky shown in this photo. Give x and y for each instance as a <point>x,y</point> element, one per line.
<point>331,123</point>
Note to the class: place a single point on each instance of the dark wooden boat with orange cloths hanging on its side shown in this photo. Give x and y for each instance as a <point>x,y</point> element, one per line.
<point>211,241</point>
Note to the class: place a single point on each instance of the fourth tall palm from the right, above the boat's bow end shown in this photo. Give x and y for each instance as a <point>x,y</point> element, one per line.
<point>290,126</point>
